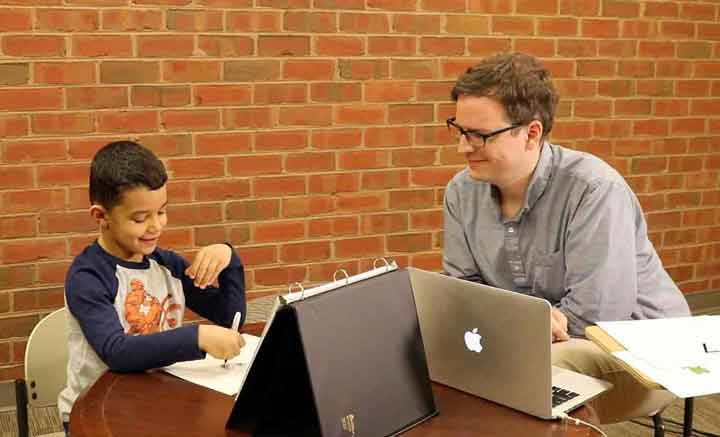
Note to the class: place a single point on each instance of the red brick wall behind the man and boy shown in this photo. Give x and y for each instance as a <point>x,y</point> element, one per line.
<point>309,132</point>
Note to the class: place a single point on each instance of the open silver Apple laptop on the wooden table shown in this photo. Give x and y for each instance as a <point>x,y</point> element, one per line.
<point>495,344</point>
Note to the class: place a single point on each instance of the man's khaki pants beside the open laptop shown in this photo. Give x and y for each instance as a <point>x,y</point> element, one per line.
<point>628,399</point>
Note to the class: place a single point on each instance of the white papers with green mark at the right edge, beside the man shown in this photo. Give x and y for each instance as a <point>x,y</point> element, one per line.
<point>671,351</point>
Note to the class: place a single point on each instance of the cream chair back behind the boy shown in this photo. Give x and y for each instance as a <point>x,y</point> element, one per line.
<point>46,357</point>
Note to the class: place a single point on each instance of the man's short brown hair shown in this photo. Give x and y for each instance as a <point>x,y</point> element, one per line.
<point>518,81</point>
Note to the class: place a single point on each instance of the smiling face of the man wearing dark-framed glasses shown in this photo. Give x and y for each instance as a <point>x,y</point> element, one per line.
<point>503,158</point>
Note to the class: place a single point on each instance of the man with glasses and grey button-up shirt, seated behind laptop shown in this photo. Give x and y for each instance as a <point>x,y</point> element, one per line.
<point>529,216</point>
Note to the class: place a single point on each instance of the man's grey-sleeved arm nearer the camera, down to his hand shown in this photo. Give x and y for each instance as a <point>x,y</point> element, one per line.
<point>600,257</point>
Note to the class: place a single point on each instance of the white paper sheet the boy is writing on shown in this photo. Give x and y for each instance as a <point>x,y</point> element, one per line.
<point>210,372</point>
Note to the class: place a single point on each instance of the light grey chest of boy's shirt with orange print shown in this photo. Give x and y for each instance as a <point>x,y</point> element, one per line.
<point>148,300</point>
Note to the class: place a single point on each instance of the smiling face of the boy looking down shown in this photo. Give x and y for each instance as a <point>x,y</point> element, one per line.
<point>132,228</point>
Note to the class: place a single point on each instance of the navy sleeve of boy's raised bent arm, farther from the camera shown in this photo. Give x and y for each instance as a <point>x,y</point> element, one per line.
<point>218,304</point>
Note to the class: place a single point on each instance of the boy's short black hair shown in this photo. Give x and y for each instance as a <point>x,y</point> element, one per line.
<point>122,165</point>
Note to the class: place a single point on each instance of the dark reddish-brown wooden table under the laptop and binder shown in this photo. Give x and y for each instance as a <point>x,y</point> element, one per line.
<point>159,404</point>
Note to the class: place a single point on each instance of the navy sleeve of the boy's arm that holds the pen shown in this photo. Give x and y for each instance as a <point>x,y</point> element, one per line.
<point>91,303</point>
